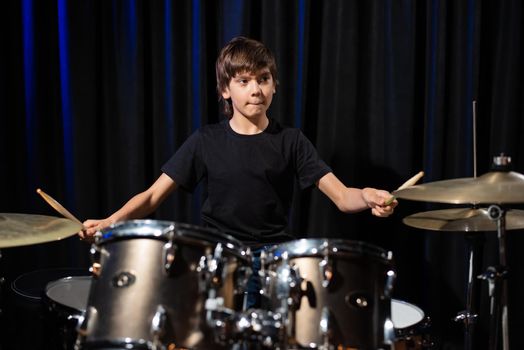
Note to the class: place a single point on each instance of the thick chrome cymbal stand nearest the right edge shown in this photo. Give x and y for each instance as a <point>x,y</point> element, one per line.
<point>496,277</point>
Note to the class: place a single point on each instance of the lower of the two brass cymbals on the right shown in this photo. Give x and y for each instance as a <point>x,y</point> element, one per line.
<point>463,220</point>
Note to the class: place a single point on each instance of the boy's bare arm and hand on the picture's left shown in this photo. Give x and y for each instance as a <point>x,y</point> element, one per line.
<point>137,207</point>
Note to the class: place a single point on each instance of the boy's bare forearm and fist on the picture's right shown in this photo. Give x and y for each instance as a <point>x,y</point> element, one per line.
<point>351,200</point>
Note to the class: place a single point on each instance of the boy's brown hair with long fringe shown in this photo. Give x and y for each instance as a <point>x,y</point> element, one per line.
<point>241,55</point>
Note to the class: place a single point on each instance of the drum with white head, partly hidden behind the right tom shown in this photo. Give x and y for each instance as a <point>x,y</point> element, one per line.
<point>411,326</point>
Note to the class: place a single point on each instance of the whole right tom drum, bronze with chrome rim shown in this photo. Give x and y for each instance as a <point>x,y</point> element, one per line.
<point>332,293</point>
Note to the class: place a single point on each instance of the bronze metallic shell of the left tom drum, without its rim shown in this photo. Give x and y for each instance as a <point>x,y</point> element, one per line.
<point>181,291</point>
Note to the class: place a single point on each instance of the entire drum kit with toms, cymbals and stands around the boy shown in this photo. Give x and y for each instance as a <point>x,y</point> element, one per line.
<point>167,285</point>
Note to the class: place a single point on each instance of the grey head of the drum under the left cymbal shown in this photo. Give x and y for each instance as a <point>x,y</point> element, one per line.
<point>71,292</point>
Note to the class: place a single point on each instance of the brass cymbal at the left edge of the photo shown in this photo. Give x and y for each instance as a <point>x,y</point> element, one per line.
<point>26,229</point>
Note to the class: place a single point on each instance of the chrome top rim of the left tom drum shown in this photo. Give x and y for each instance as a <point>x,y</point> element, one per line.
<point>167,230</point>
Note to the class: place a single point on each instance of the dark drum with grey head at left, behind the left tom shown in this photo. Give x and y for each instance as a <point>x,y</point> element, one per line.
<point>65,301</point>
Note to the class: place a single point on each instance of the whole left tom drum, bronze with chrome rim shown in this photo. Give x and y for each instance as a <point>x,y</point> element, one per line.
<point>151,282</point>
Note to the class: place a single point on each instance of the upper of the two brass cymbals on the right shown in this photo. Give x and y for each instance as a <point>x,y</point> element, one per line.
<point>492,188</point>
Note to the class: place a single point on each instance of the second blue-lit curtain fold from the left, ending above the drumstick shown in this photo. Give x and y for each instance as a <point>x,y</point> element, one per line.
<point>67,115</point>
